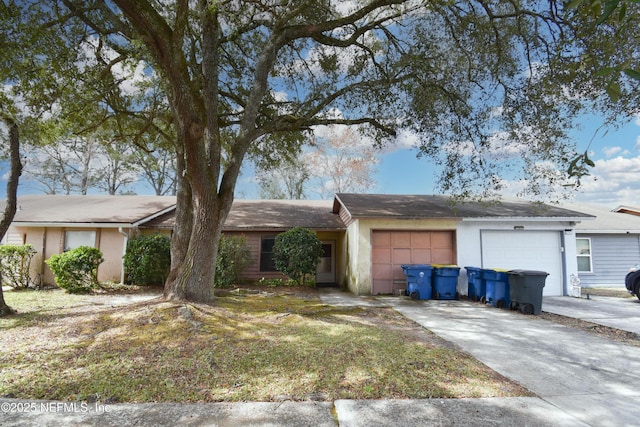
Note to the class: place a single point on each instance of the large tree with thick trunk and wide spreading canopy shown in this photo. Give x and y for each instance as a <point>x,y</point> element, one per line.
<point>489,89</point>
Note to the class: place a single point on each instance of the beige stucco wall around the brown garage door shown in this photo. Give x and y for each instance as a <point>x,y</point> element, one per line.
<point>358,246</point>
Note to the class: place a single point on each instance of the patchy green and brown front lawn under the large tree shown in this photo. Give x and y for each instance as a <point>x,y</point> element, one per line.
<point>261,347</point>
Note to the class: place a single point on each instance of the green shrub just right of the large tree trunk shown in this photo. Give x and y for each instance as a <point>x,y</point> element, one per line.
<point>234,255</point>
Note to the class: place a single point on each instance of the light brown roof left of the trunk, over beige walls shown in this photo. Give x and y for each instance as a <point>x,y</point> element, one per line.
<point>75,209</point>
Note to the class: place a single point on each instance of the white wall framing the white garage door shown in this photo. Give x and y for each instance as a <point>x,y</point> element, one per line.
<point>469,245</point>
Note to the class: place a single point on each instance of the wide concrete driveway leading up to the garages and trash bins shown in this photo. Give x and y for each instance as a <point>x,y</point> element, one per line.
<point>592,379</point>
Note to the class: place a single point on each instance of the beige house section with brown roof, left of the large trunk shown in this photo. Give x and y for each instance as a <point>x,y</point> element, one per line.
<point>54,224</point>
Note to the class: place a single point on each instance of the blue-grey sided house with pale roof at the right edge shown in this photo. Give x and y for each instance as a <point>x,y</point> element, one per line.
<point>608,246</point>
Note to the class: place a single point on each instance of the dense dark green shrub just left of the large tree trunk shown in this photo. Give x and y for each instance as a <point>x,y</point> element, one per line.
<point>148,260</point>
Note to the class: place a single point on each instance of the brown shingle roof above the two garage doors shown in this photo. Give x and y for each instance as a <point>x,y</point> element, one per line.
<point>434,206</point>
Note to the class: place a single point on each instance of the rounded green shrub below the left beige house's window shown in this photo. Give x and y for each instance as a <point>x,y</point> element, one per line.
<point>76,270</point>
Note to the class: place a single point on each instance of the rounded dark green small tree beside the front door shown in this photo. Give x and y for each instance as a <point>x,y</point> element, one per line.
<point>296,253</point>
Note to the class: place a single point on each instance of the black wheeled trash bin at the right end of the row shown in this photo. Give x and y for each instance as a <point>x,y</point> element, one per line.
<point>525,290</point>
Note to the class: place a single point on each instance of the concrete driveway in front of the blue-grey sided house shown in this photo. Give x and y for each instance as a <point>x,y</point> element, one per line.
<point>619,313</point>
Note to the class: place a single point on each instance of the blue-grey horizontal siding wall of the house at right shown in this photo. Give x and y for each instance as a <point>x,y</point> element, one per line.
<point>611,256</point>
